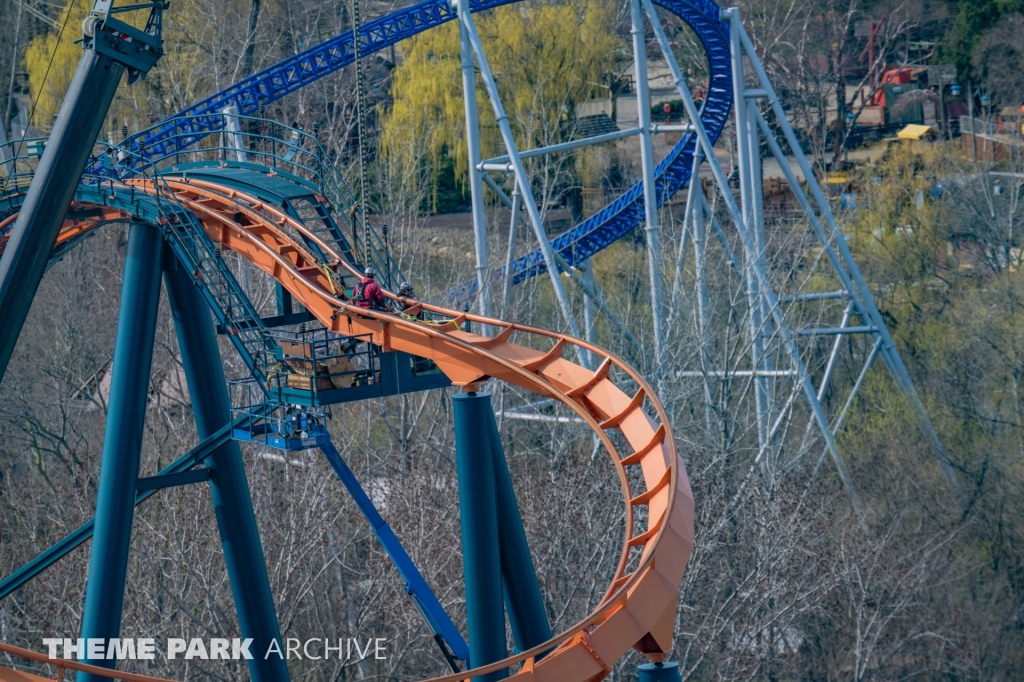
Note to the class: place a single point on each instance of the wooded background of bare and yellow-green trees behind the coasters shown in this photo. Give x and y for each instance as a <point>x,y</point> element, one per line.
<point>787,581</point>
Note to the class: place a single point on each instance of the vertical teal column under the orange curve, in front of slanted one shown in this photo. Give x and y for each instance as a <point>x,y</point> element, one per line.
<point>479,515</point>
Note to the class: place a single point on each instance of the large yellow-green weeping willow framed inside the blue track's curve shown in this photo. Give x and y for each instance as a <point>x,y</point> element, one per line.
<point>546,60</point>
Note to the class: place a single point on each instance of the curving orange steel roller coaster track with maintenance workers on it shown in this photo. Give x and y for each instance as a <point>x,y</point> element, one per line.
<point>639,608</point>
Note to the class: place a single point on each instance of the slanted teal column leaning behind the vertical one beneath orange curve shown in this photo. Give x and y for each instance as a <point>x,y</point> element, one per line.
<point>523,593</point>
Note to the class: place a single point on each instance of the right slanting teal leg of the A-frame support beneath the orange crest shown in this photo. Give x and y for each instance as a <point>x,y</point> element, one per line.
<point>229,486</point>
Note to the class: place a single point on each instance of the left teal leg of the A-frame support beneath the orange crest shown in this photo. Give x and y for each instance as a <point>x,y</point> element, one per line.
<point>123,440</point>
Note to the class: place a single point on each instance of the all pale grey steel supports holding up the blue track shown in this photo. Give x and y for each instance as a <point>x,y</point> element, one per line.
<point>778,372</point>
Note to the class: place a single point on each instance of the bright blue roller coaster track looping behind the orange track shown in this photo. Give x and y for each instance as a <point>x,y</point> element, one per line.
<point>583,241</point>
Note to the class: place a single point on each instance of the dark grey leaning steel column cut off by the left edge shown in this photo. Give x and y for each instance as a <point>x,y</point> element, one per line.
<point>53,187</point>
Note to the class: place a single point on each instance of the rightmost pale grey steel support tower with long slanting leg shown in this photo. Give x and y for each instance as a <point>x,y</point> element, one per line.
<point>776,358</point>
